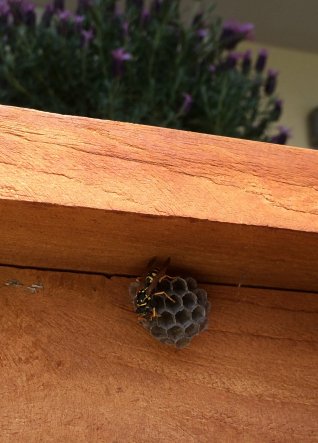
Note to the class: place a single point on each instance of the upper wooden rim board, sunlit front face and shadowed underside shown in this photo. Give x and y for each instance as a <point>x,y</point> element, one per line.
<point>92,195</point>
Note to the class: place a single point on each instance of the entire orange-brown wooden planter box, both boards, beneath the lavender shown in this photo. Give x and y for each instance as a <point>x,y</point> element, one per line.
<point>84,204</point>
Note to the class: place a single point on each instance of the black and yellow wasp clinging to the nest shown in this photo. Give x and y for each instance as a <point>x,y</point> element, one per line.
<point>144,302</point>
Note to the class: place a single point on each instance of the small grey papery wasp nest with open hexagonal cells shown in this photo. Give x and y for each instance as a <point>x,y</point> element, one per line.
<point>177,321</point>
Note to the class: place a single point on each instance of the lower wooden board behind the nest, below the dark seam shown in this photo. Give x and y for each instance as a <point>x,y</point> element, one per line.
<point>76,366</point>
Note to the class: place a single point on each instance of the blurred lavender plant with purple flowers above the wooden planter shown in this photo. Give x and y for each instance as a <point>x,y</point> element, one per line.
<point>139,64</point>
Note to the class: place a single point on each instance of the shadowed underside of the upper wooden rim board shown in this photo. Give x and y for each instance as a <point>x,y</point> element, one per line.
<point>118,243</point>
